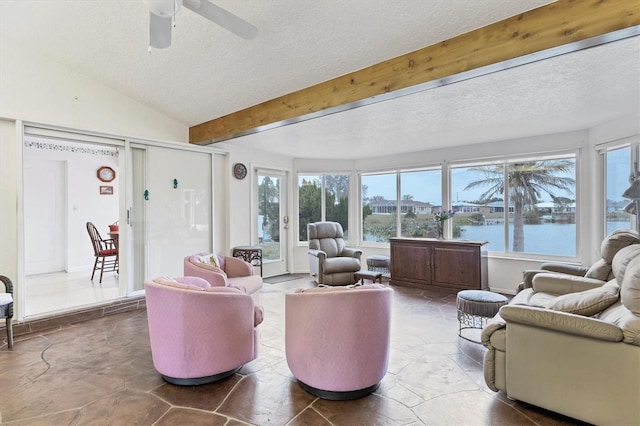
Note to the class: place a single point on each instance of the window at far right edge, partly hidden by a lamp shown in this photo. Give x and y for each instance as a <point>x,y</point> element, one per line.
<point>619,167</point>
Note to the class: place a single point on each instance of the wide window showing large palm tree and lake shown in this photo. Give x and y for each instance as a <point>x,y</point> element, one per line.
<point>540,202</point>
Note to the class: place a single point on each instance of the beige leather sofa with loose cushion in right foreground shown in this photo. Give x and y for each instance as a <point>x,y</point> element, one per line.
<point>572,345</point>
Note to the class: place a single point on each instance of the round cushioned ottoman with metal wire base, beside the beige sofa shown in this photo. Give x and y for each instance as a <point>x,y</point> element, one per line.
<point>475,307</point>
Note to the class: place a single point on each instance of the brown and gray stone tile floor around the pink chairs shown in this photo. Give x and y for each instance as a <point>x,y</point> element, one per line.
<point>100,372</point>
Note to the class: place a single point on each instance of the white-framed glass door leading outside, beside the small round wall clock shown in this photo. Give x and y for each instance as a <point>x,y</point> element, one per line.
<point>272,221</point>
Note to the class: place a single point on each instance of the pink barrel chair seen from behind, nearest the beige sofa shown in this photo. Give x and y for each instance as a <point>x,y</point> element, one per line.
<point>337,339</point>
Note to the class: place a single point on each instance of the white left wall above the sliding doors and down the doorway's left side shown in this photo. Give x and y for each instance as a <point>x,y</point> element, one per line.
<point>35,89</point>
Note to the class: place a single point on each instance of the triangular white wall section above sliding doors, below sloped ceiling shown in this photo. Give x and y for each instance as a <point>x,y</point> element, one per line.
<point>37,89</point>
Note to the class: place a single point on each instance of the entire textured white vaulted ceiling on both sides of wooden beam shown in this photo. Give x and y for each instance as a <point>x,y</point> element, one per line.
<point>208,72</point>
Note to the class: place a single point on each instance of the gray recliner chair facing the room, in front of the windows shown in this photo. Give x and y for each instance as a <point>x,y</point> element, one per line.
<point>330,262</point>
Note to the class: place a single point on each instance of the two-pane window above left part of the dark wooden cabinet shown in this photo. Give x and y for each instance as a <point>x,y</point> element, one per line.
<point>416,194</point>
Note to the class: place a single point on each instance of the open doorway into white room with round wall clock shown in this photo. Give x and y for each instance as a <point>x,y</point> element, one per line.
<point>62,192</point>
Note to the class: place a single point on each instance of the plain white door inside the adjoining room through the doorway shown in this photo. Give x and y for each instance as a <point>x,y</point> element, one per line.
<point>45,216</point>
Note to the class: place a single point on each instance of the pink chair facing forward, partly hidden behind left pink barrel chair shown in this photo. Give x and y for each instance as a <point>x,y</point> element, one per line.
<point>224,271</point>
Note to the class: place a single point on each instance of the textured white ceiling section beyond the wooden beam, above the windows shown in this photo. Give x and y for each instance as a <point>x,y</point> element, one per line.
<point>575,91</point>
